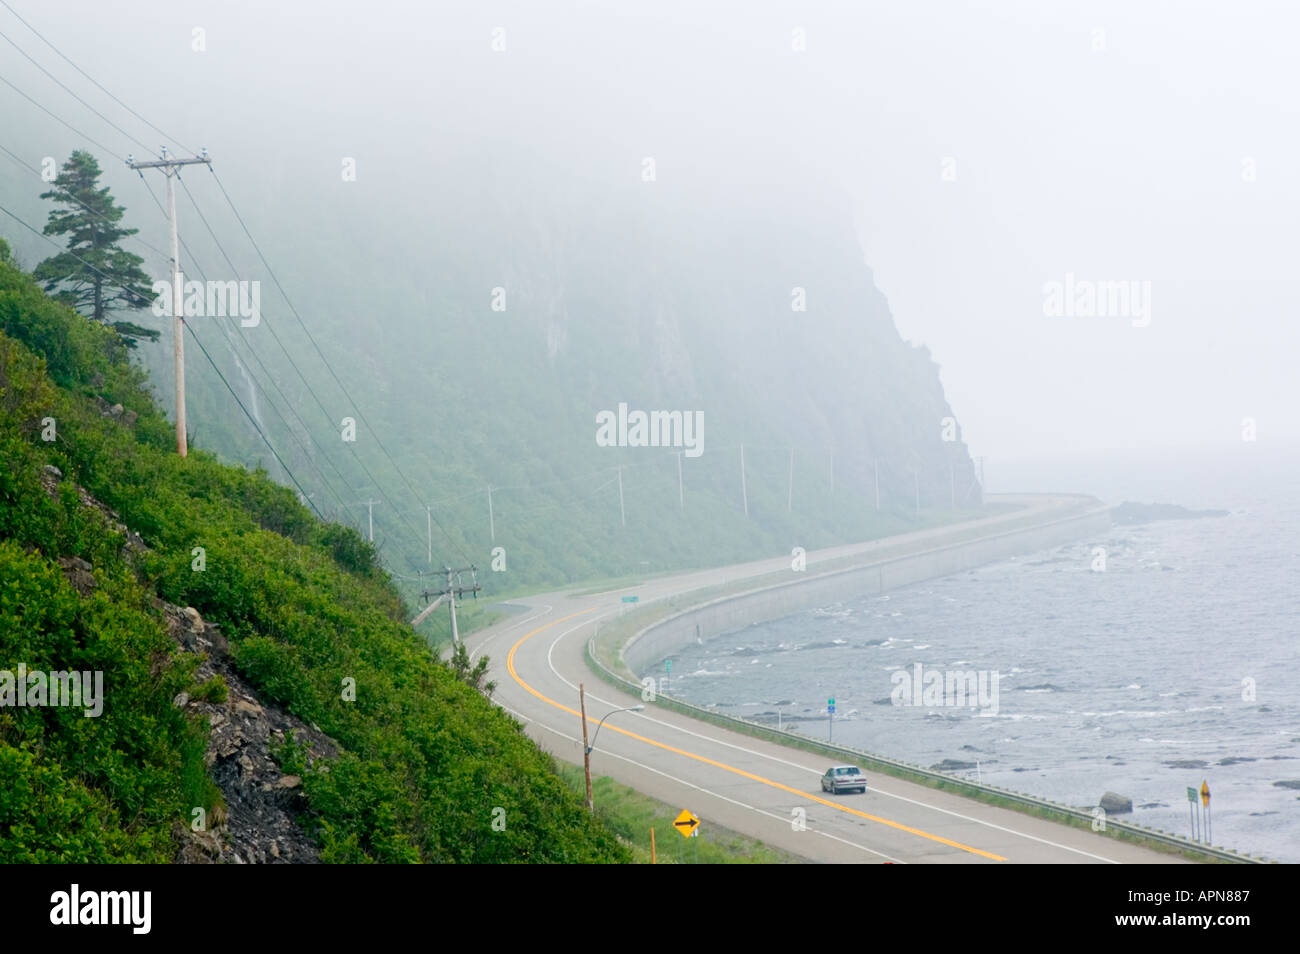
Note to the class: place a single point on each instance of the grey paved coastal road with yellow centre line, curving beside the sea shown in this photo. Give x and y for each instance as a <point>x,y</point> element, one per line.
<point>759,788</point>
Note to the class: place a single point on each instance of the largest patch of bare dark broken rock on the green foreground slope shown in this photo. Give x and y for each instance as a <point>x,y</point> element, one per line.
<point>262,803</point>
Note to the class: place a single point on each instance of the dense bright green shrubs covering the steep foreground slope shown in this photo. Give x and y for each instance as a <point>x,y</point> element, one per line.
<point>427,758</point>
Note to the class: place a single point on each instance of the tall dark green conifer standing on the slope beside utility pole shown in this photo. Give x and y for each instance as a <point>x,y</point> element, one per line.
<point>94,276</point>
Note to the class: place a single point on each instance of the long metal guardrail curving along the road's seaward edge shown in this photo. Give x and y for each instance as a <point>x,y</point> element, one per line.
<point>896,765</point>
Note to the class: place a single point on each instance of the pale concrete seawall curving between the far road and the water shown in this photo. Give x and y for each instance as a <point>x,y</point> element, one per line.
<point>803,593</point>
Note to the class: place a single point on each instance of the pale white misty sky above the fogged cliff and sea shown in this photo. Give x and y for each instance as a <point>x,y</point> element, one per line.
<point>1111,141</point>
